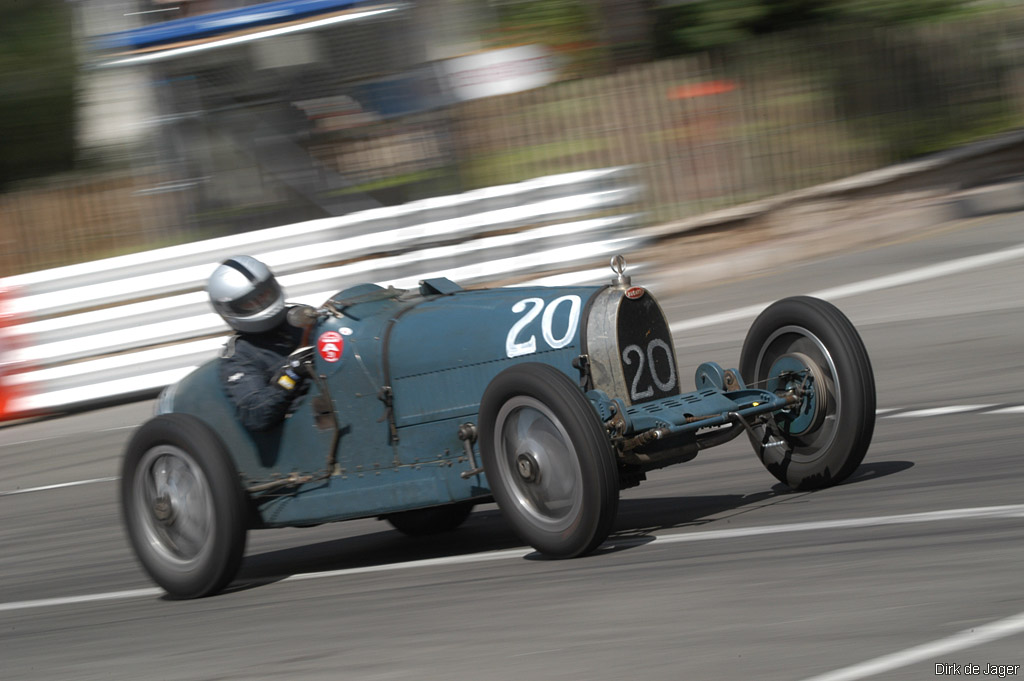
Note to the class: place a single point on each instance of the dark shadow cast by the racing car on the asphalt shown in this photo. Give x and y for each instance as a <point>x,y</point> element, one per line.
<point>636,524</point>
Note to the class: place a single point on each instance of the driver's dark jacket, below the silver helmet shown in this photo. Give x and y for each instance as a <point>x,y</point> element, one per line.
<point>247,365</point>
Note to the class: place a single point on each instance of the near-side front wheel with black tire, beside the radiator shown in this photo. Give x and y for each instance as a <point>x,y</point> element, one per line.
<point>548,460</point>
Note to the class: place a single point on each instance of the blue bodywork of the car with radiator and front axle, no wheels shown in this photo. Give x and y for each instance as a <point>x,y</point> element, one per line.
<point>407,369</point>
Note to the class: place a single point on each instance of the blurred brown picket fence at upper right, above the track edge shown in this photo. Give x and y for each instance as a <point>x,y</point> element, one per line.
<point>779,114</point>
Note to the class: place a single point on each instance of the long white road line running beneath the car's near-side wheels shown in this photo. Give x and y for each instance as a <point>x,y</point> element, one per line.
<point>1013,512</point>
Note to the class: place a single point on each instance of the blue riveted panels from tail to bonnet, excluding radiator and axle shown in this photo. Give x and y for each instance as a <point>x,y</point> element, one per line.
<point>410,370</point>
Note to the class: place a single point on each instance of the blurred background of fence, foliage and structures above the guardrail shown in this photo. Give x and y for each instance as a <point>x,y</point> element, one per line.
<point>127,125</point>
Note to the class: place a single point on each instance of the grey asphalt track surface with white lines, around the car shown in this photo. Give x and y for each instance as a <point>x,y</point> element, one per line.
<point>714,571</point>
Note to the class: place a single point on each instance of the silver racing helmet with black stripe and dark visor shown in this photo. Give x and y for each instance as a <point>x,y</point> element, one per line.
<point>246,295</point>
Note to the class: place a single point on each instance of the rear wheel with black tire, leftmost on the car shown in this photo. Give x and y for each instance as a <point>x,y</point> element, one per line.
<point>184,506</point>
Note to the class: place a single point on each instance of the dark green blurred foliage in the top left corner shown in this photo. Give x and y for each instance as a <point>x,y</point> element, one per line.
<point>37,81</point>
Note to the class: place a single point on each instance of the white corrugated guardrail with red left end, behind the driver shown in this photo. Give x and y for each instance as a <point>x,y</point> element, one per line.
<point>119,329</point>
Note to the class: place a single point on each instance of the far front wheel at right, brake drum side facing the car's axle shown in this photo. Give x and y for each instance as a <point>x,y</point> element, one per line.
<point>834,433</point>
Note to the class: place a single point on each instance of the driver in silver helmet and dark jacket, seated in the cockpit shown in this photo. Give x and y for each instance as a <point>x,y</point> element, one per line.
<point>262,366</point>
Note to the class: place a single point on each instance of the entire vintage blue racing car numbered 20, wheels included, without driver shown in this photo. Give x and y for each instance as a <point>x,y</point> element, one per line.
<point>548,401</point>
